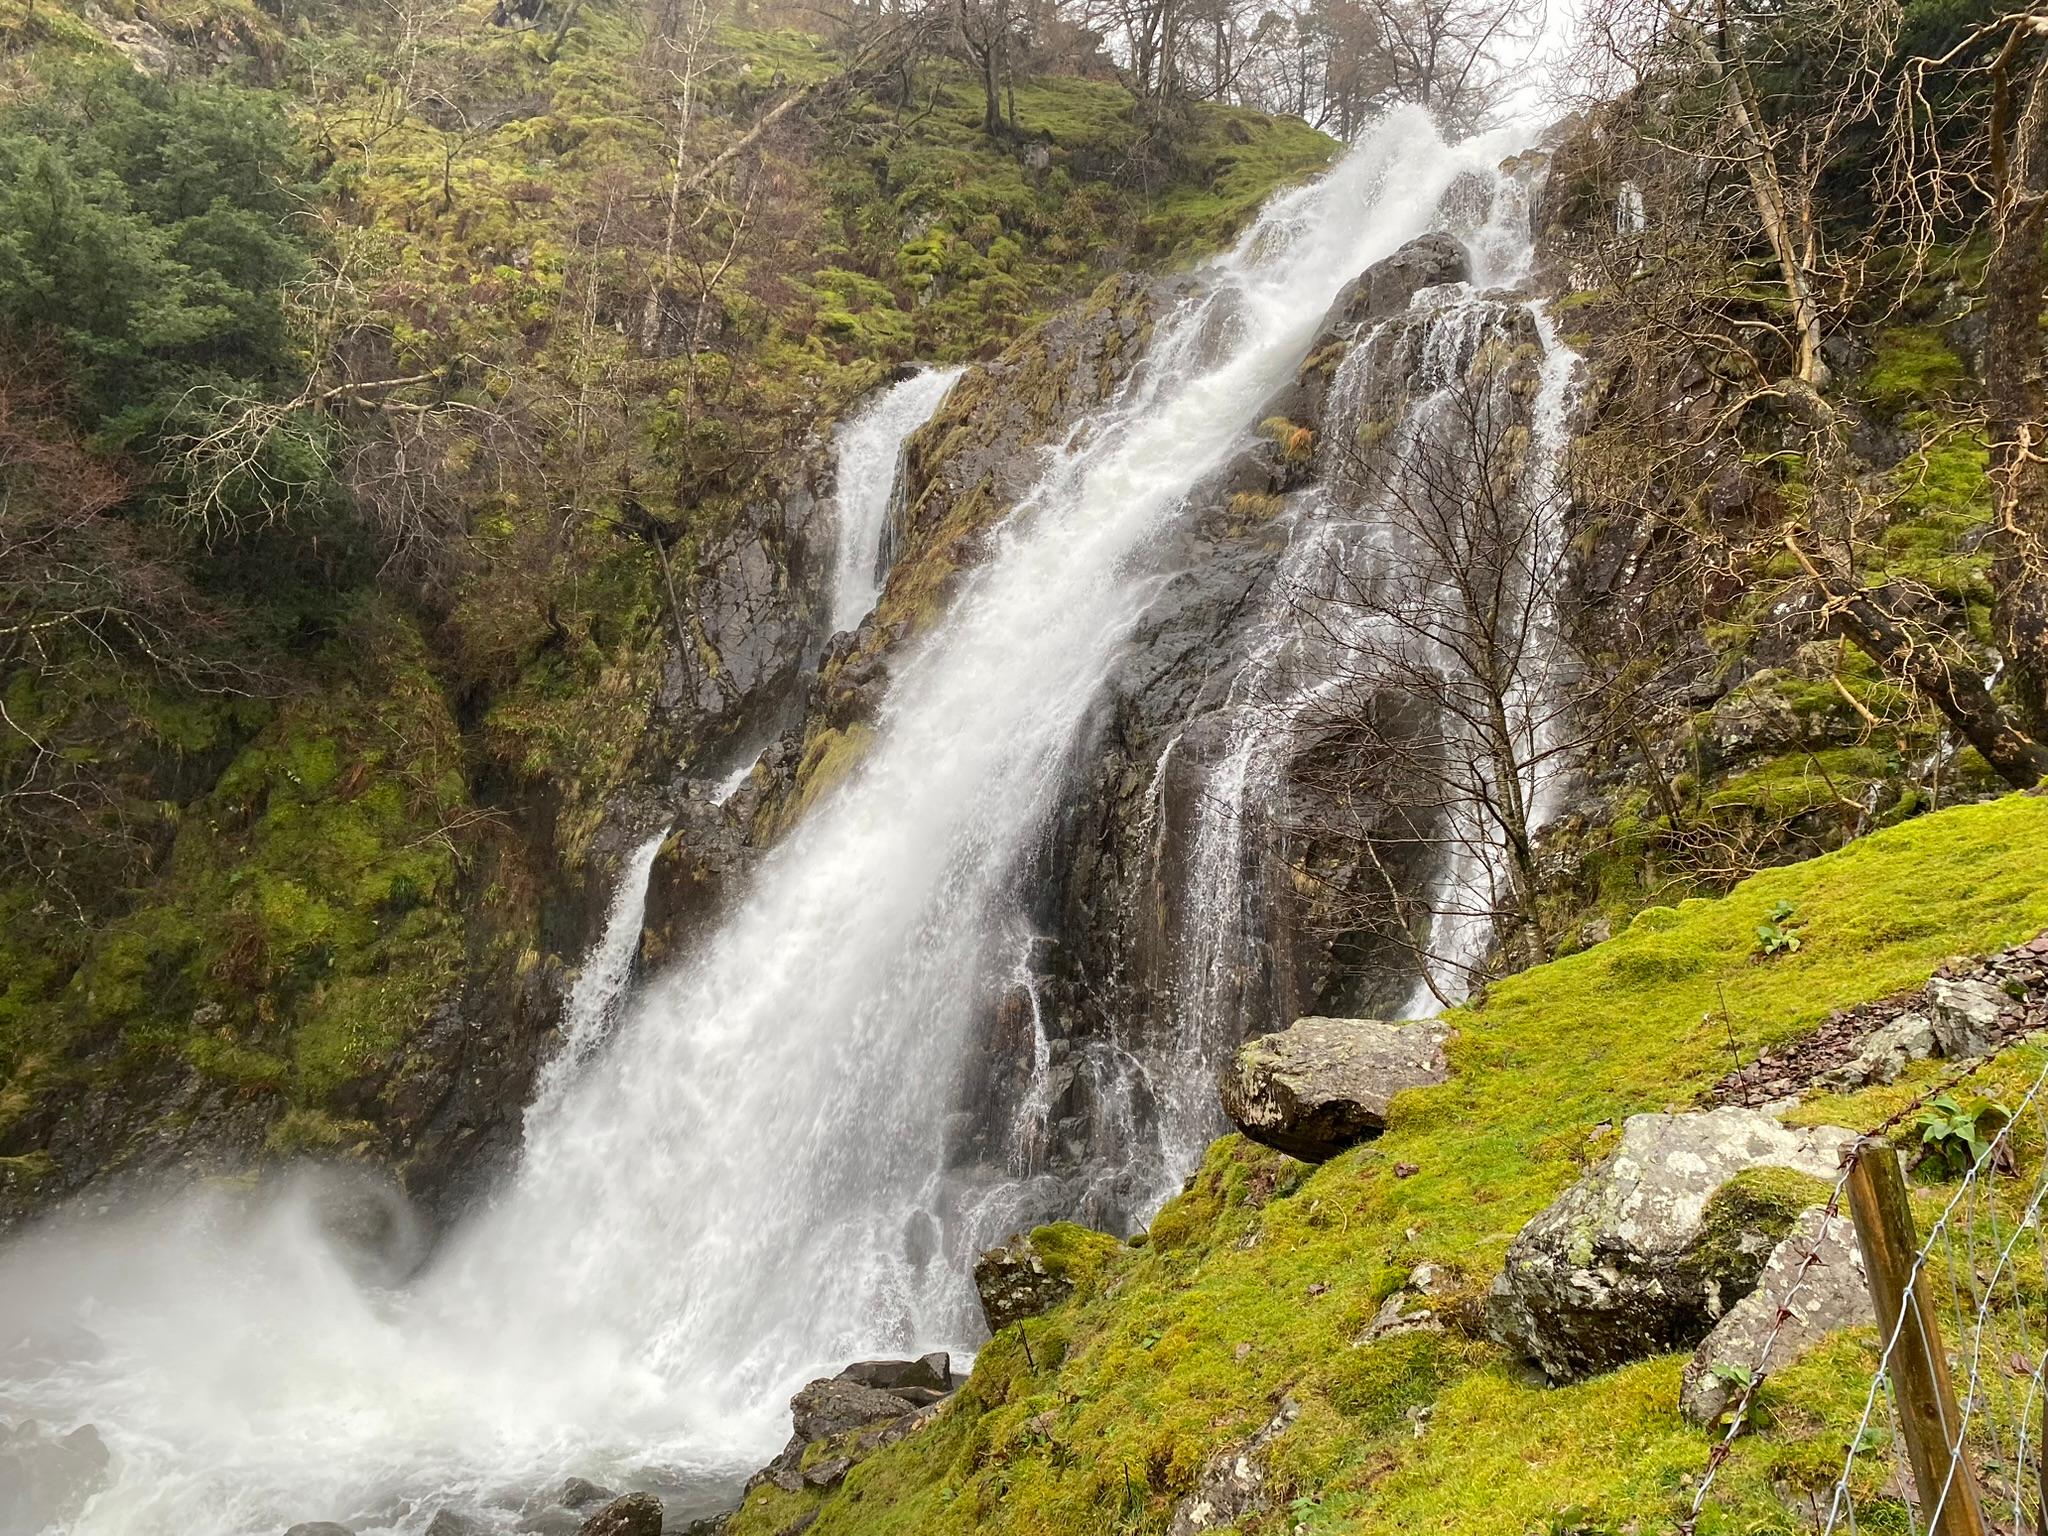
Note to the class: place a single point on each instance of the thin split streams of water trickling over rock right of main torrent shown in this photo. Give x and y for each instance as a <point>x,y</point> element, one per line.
<point>1293,667</point>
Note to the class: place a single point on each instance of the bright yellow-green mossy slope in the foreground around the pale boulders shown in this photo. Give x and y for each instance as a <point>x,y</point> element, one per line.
<point>1256,1283</point>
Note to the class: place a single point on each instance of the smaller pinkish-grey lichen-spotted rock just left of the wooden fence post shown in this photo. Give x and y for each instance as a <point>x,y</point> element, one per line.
<point>1818,1299</point>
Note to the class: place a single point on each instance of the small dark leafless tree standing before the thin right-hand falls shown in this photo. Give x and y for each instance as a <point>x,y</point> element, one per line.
<point>1445,697</point>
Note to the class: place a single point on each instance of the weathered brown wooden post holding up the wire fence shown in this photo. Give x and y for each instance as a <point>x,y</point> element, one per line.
<point>1928,1414</point>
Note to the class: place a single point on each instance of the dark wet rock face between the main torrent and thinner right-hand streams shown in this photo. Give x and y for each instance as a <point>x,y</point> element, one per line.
<point>1113,892</point>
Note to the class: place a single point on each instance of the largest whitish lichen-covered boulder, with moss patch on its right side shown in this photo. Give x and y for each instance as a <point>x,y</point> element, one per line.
<point>1658,1242</point>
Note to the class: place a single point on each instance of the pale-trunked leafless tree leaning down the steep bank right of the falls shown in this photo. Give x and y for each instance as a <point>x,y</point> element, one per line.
<point>1709,159</point>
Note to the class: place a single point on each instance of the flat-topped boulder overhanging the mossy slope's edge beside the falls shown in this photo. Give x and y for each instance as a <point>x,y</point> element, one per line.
<point>1324,1084</point>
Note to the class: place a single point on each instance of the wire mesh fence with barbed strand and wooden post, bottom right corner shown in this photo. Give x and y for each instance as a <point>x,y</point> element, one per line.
<point>1951,1437</point>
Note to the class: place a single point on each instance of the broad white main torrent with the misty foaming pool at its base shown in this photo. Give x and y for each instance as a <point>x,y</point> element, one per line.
<point>753,1181</point>
